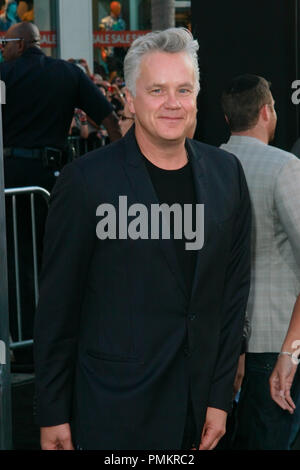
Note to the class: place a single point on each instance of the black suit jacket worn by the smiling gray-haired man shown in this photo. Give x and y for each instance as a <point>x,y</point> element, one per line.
<point>117,338</point>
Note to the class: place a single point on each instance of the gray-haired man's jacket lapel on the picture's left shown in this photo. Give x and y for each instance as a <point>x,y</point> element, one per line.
<point>145,194</point>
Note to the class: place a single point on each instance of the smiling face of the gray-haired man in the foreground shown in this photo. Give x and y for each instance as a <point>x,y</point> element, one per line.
<point>165,103</point>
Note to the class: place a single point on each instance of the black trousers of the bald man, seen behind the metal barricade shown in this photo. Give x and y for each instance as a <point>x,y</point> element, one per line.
<point>21,172</point>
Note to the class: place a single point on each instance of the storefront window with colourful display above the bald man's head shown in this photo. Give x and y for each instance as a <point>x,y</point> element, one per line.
<point>40,12</point>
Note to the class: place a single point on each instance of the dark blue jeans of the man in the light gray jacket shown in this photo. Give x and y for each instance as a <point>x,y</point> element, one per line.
<point>261,423</point>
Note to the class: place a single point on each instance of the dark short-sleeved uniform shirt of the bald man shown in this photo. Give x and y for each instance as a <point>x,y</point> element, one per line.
<point>41,94</point>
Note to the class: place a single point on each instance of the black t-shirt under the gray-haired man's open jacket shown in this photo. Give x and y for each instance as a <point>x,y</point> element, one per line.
<point>177,186</point>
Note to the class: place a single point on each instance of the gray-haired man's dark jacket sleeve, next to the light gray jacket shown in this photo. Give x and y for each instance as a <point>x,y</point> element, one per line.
<point>234,302</point>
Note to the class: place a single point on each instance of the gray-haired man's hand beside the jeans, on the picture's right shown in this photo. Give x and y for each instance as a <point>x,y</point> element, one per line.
<point>214,428</point>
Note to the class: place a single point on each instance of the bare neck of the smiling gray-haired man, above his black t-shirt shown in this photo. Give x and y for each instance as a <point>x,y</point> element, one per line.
<point>168,155</point>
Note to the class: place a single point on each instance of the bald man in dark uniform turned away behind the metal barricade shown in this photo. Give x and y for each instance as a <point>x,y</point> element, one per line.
<point>41,94</point>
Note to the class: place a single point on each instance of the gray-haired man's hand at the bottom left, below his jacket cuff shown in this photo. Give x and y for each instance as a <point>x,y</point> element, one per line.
<point>56,438</point>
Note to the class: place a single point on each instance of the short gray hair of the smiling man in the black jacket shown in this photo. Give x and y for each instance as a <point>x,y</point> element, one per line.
<point>169,40</point>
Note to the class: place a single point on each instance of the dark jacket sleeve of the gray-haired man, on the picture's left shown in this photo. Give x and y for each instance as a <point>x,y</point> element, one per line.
<point>68,246</point>
